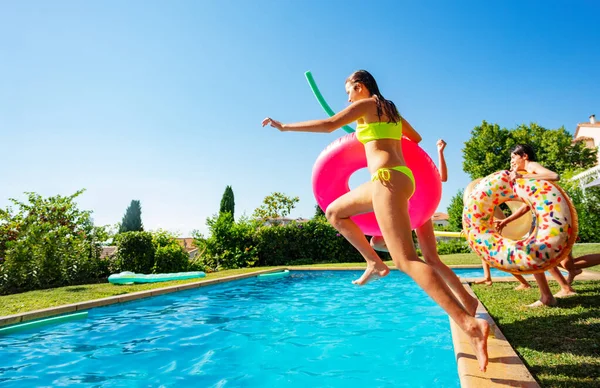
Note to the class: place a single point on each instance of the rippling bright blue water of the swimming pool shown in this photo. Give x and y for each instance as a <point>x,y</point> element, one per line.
<point>313,328</point>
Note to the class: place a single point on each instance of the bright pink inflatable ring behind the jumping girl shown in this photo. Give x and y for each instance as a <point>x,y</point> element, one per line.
<point>346,155</point>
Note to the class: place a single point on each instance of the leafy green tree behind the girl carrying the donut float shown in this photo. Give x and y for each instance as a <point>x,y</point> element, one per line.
<point>488,149</point>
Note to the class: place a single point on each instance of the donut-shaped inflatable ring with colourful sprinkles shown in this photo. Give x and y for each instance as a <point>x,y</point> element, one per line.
<point>553,234</point>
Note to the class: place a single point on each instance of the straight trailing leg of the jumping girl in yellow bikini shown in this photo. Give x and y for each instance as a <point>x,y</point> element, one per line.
<point>390,202</point>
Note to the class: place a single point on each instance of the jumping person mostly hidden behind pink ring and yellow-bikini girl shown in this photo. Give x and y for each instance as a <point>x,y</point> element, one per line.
<point>428,245</point>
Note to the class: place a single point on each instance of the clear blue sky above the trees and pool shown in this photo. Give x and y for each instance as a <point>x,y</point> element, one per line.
<point>162,101</point>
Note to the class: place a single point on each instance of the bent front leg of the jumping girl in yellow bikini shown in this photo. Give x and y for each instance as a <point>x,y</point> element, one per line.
<point>338,214</point>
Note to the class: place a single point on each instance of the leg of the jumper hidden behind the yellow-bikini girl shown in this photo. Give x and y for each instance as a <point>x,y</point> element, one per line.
<point>428,245</point>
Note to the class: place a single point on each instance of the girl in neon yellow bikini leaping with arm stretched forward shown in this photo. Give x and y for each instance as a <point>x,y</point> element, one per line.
<point>380,129</point>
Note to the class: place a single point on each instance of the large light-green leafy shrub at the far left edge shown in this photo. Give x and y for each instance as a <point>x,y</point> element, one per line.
<point>49,242</point>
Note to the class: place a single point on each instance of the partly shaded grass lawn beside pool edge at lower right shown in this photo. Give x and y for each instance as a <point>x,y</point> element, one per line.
<point>561,345</point>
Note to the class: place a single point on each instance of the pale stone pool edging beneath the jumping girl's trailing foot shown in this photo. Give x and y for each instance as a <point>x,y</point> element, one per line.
<point>505,367</point>
